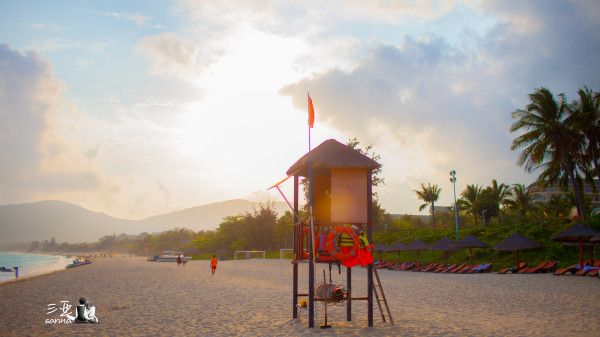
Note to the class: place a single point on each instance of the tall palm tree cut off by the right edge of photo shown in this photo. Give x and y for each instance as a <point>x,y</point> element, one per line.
<point>586,117</point>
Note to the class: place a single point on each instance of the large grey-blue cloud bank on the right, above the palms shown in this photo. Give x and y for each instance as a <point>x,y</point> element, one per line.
<point>435,106</point>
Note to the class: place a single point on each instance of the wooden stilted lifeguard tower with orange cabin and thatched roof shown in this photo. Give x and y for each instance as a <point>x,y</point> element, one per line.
<point>341,194</point>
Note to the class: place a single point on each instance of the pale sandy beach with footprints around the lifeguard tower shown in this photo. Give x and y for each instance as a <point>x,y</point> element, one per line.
<point>138,298</point>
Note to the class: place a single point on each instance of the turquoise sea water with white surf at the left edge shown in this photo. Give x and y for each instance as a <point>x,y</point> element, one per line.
<point>30,264</point>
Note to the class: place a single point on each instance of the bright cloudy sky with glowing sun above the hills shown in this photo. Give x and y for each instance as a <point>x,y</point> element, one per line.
<point>139,108</point>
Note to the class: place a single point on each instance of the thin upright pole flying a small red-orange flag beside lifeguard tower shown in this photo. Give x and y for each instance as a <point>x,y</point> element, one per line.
<point>311,262</point>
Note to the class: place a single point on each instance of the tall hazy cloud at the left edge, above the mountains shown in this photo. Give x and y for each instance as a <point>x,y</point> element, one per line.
<point>37,162</point>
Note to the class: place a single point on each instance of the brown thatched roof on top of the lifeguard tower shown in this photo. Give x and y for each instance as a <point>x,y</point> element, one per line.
<point>331,154</point>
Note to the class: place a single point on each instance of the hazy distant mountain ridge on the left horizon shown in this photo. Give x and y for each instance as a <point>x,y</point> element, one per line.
<point>71,223</point>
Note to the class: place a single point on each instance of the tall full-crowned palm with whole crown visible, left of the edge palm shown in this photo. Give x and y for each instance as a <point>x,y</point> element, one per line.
<point>549,139</point>
